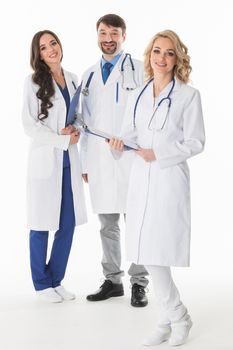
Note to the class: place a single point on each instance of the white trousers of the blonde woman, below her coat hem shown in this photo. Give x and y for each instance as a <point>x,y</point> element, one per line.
<point>172,310</point>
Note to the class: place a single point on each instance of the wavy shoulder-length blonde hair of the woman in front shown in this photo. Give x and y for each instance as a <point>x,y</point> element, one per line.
<point>182,68</point>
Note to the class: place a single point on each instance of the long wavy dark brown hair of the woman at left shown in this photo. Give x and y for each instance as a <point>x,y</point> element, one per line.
<point>42,75</point>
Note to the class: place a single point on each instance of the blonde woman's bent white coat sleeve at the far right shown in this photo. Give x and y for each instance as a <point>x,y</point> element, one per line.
<point>172,153</point>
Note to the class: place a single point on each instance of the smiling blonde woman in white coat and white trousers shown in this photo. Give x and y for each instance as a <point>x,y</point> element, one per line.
<point>165,119</point>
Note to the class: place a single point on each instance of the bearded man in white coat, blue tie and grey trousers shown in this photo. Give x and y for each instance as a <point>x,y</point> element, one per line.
<point>106,87</point>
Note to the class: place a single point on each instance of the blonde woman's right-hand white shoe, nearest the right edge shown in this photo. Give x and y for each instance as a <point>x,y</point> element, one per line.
<point>180,332</point>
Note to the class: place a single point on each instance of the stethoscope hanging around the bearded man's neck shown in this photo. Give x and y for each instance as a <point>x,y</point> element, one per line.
<point>127,84</point>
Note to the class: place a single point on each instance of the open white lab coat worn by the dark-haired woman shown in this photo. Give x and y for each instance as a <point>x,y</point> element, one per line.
<point>45,161</point>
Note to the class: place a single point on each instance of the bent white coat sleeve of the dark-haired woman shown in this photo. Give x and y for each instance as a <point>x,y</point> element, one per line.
<point>35,128</point>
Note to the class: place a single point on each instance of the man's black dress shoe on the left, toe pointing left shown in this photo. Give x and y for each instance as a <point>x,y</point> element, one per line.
<point>107,290</point>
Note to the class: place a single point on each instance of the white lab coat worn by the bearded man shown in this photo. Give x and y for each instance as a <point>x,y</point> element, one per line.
<point>108,180</point>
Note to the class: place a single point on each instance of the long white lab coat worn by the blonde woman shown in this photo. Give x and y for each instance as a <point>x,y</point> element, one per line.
<point>158,206</point>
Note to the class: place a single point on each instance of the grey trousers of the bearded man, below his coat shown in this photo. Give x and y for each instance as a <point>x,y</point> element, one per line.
<point>111,261</point>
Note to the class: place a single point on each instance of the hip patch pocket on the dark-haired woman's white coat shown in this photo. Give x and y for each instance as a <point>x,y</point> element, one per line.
<point>41,162</point>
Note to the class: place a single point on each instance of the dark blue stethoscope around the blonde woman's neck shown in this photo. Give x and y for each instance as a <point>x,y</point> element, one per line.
<point>162,101</point>
